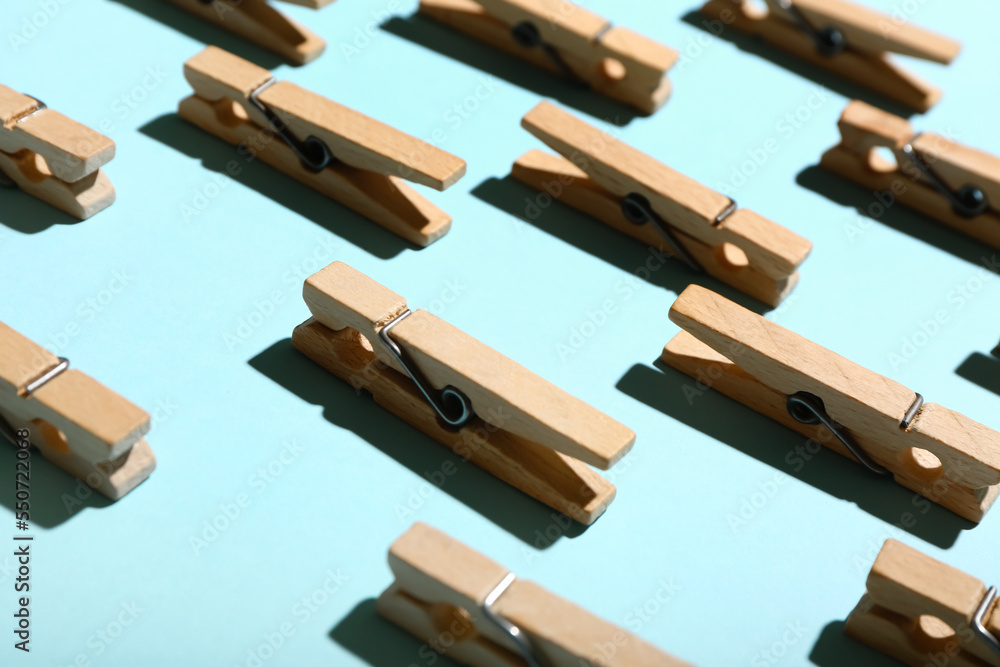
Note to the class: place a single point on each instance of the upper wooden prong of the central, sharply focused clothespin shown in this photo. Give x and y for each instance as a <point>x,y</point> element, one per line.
<point>503,392</point>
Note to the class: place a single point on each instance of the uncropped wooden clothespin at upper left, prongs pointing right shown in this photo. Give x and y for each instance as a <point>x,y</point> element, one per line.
<point>344,154</point>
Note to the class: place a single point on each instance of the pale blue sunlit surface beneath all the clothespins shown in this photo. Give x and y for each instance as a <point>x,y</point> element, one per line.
<point>228,393</point>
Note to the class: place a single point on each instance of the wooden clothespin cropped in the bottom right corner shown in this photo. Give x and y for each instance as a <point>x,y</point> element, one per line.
<point>923,612</point>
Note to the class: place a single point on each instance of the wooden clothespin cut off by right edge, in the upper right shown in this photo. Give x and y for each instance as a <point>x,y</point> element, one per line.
<point>956,184</point>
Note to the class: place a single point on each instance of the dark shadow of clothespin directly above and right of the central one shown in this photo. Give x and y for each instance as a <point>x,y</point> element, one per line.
<point>591,235</point>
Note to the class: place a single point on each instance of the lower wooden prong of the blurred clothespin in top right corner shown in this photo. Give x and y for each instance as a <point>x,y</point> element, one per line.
<point>873,70</point>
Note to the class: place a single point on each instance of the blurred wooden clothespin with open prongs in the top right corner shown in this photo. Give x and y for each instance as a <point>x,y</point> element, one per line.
<point>847,39</point>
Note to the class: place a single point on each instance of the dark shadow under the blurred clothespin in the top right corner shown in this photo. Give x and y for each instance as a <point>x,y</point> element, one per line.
<point>758,47</point>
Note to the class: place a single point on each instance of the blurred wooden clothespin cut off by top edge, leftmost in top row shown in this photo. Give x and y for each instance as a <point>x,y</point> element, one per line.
<point>260,23</point>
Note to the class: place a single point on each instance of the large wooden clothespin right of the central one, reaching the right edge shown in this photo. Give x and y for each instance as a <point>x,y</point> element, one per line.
<point>932,450</point>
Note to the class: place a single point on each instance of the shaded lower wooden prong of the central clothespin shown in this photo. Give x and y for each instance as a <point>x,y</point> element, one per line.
<point>562,483</point>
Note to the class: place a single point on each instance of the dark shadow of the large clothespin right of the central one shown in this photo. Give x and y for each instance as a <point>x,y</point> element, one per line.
<point>743,429</point>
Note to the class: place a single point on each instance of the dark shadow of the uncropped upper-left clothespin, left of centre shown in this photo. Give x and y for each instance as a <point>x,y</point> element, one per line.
<point>216,155</point>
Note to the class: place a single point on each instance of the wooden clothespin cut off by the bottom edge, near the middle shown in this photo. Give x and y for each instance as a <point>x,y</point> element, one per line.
<point>469,608</point>
